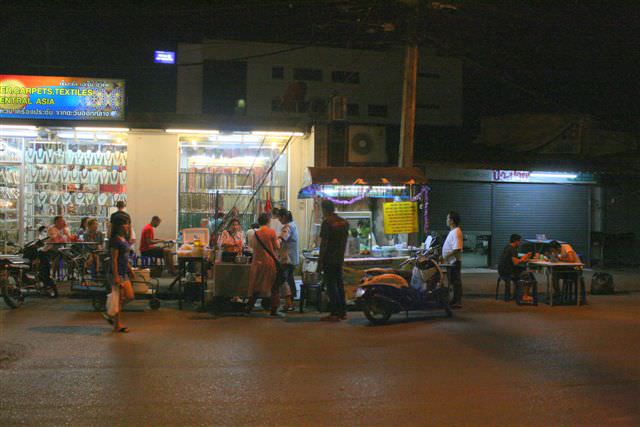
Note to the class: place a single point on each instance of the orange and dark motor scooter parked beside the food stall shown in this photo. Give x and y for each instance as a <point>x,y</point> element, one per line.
<point>384,292</point>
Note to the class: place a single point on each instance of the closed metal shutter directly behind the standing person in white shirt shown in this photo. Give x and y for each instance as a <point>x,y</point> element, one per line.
<point>472,200</point>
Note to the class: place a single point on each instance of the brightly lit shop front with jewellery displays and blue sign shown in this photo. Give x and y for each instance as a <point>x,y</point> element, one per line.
<point>66,149</point>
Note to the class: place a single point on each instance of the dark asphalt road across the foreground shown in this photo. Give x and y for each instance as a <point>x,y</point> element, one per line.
<point>492,364</point>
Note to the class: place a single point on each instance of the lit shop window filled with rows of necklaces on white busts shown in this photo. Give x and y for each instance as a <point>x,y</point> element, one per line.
<point>72,173</point>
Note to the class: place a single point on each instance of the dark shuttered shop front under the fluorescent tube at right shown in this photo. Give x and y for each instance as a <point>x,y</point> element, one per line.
<point>494,204</point>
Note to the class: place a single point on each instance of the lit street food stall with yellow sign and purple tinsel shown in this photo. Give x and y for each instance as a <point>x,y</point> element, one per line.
<point>382,206</point>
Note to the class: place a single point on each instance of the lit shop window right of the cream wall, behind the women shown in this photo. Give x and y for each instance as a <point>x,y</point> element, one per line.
<point>223,172</point>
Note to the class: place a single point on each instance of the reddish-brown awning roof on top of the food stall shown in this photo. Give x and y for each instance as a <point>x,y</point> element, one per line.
<point>366,176</point>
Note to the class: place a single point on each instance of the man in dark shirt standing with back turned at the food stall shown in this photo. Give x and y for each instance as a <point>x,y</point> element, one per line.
<point>333,235</point>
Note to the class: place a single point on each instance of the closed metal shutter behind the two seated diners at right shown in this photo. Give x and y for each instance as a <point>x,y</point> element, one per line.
<point>558,211</point>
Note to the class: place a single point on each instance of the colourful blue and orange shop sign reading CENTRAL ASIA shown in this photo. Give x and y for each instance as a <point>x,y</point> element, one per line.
<point>61,98</point>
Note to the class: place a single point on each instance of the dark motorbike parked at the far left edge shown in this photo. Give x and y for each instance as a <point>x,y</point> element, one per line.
<point>20,276</point>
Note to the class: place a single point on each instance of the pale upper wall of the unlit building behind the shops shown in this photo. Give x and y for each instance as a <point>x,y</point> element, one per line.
<point>380,79</point>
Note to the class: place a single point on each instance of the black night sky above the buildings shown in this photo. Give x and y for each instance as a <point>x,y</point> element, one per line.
<point>519,56</point>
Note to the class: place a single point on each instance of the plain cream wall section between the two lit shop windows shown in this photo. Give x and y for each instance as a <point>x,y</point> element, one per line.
<point>152,181</point>
